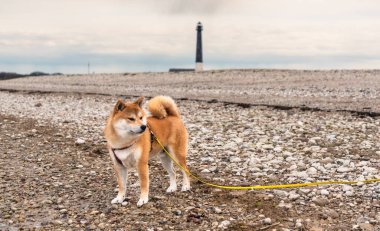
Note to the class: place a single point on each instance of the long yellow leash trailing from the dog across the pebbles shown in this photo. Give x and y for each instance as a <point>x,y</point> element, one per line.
<point>262,186</point>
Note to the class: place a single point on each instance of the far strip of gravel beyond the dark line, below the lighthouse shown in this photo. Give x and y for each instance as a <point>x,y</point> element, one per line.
<point>357,90</point>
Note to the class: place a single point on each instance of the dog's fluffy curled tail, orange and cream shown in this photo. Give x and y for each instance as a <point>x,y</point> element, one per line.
<point>162,106</point>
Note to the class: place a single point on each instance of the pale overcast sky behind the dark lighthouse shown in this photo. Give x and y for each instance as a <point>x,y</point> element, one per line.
<point>154,35</point>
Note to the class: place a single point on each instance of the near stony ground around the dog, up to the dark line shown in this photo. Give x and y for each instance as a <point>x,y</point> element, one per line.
<point>49,180</point>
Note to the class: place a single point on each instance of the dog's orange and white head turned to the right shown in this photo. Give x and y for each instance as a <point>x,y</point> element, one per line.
<point>128,118</point>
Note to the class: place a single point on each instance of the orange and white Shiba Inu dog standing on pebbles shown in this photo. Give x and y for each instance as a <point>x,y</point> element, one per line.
<point>131,144</point>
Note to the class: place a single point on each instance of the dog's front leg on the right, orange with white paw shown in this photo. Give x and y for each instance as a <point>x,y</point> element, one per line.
<point>143,171</point>
